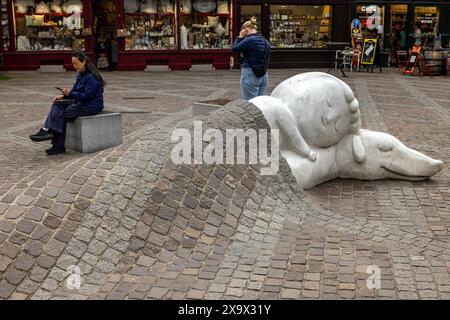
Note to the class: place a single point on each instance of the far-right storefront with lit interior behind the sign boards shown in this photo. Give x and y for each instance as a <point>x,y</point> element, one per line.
<point>401,24</point>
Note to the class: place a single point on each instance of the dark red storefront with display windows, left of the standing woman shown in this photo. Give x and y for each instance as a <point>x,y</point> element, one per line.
<point>117,34</point>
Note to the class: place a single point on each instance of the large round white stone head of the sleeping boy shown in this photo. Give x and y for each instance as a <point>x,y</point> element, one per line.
<point>324,107</point>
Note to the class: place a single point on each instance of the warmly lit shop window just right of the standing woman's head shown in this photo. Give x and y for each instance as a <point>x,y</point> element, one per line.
<point>293,26</point>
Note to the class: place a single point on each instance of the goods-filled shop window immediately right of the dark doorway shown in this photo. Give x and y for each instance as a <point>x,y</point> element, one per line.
<point>149,25</point>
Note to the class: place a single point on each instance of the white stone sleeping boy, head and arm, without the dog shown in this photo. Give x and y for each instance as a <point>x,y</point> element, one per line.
<point>313,109</point>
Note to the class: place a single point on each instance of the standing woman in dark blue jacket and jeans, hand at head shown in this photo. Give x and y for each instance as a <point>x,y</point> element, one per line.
<point>254,50</point>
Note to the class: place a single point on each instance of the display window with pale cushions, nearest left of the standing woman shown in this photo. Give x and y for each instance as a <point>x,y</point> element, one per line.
<point>205,24</point>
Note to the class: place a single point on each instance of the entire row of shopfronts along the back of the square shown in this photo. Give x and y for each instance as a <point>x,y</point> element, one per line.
<point>141,34</point>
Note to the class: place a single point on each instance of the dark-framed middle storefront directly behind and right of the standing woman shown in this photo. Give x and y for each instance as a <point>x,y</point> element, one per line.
<point>299,30</point>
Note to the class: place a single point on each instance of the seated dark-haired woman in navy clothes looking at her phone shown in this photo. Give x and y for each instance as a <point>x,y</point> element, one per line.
<point>85,99</point>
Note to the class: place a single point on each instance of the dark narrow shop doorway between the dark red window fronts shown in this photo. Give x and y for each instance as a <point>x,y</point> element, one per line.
<point>105,25</point>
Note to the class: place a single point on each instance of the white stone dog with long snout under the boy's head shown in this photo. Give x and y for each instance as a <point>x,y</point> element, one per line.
<point>386,158</point>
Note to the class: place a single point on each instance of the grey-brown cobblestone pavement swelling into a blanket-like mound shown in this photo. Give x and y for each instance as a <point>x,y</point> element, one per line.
<point>140,227</point>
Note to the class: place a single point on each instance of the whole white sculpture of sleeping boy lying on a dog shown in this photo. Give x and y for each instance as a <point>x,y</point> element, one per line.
<point>321,137</point>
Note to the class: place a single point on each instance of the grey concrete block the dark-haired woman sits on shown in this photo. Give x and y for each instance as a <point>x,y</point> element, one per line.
<point>94,133</point>
